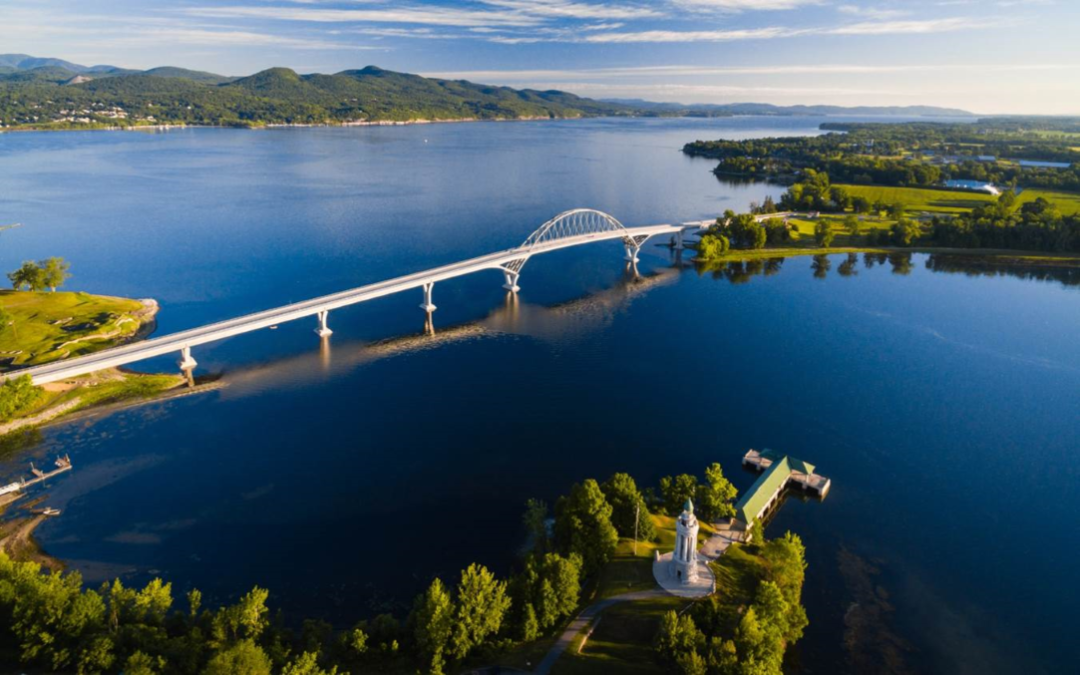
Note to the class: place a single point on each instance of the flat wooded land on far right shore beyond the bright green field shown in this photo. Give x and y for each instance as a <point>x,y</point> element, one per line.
<point>913,154</point>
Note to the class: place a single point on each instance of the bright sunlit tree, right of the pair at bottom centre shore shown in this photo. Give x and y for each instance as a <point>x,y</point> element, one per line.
<point>481,609</point>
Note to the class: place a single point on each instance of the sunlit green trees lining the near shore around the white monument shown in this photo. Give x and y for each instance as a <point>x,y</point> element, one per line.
<point>50,622</point>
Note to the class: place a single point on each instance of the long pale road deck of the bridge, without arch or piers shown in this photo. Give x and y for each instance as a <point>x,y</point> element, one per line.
<point>178,342</point>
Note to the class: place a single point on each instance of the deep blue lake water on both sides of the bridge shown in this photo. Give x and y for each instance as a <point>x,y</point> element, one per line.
<point>944,406</point>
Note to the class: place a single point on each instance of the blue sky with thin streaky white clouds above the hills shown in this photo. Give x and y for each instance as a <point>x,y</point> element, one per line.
<point>988,57</point>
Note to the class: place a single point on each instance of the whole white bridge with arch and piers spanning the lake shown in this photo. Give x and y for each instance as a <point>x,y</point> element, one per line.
<point>572,228</point>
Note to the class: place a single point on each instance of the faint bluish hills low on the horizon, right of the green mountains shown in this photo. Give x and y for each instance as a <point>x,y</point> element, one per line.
<point>764,109</point>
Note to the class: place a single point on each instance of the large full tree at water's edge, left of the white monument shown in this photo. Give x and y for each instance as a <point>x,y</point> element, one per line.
<point>584,526</point>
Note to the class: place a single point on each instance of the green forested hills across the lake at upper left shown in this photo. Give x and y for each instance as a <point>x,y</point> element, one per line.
<point>56,98</point>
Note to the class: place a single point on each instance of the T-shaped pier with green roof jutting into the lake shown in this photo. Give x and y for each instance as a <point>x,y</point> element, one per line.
<point>779,472</point>
